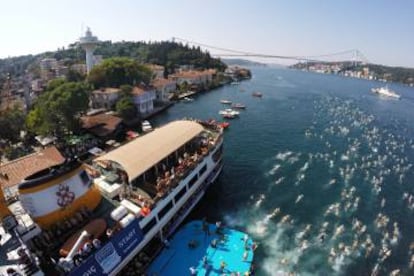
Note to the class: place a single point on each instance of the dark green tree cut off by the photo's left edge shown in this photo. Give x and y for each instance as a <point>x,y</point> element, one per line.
<point>11,123</point>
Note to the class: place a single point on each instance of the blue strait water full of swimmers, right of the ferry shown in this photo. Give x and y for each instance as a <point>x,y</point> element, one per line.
<point>318,171</point>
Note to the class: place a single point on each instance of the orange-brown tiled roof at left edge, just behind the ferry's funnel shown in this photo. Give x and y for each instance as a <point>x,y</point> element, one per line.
<point>15,171</point>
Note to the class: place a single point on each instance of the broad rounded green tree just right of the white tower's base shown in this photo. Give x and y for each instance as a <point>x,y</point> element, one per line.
<point>114,72</point>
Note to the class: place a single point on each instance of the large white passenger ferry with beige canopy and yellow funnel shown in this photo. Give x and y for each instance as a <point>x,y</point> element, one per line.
<point>93,218</point>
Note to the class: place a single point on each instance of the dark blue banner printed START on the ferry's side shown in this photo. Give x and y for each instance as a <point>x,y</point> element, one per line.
<point>107,258</point>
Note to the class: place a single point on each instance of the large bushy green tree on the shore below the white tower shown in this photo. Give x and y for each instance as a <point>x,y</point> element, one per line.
<point>58,111</point>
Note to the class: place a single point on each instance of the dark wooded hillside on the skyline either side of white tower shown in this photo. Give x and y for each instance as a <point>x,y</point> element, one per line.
<point>171,55</point>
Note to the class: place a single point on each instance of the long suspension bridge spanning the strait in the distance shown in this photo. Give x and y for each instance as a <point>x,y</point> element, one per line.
<point>353,55</point>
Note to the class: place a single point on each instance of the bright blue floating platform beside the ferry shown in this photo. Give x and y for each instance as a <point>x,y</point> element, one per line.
<point>192,247</point>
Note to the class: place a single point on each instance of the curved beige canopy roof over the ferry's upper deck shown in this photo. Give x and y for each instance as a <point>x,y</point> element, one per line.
<point>141,154</point>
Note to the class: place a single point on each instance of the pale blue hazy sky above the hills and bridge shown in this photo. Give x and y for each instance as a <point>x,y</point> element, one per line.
<point>382,30</point>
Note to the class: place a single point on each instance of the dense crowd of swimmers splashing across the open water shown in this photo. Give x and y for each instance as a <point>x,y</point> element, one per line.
<point>364,160</point>
